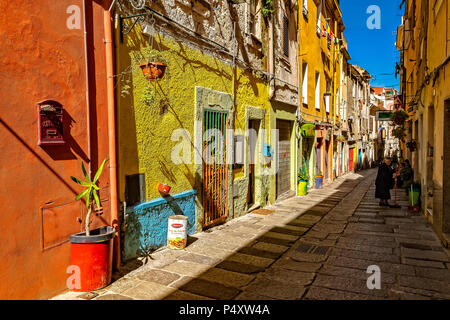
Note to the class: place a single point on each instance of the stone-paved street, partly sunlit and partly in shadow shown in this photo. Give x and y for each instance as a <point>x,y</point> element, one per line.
<point>314,247</point>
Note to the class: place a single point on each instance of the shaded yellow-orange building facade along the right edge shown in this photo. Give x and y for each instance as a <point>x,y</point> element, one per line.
<point>426,91</point>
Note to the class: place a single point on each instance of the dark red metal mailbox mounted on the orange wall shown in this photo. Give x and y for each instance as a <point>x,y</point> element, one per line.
<point>50,123</point>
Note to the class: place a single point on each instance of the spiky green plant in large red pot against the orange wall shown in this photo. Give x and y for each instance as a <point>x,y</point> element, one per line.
<point>91,250</point>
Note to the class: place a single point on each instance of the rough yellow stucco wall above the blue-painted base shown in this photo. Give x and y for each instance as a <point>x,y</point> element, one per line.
<point>144,137</point>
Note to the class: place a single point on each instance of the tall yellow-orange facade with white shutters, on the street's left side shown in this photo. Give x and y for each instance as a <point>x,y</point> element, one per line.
<point>319,62</point>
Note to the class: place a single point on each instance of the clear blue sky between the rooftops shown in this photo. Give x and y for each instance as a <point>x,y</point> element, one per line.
<point>374,50</point>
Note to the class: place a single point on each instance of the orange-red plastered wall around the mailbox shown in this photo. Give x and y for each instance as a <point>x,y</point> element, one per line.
<point>40,58</point>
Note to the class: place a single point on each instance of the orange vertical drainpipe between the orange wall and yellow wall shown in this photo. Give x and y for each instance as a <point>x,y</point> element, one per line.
<point>112,135</point>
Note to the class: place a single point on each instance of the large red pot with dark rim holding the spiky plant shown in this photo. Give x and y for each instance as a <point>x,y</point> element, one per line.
<point>92,257</point>
